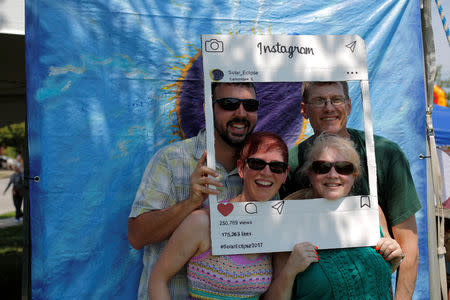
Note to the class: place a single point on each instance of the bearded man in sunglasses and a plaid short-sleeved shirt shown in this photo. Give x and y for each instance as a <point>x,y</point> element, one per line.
<point>176,179</point>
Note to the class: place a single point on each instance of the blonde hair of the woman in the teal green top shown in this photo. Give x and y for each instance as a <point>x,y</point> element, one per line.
<point>343,146</point>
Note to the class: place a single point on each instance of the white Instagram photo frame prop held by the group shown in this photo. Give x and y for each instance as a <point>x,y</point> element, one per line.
<point>274,226</point>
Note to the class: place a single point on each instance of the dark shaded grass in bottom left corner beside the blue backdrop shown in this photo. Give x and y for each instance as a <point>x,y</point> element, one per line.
<point>11,253</point>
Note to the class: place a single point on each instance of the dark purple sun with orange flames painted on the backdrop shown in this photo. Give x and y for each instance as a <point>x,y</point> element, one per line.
<point>279,110</point>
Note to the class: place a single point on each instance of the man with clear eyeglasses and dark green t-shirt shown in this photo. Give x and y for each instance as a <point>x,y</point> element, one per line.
<point>327,106</point>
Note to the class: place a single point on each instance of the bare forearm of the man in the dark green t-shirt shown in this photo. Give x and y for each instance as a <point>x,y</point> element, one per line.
<point>405,234</point>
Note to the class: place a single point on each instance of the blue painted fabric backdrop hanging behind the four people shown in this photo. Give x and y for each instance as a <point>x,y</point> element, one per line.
<point>110,82</point>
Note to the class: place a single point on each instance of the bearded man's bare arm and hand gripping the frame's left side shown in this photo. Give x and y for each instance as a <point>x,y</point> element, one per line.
<point>157,225</point>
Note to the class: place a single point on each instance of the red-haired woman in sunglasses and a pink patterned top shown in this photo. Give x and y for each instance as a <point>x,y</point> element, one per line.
<point>263,167</point>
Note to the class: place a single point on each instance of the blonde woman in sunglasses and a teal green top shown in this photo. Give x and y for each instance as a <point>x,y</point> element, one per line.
<point>351,273</point>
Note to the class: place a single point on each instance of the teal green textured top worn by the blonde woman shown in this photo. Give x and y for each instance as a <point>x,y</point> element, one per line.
<point>352,273</point>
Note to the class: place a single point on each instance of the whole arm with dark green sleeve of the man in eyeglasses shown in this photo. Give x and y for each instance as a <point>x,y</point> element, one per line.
<point>399,197</point>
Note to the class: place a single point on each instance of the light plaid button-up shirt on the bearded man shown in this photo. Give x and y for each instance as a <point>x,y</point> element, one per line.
<point>166,182</point>
